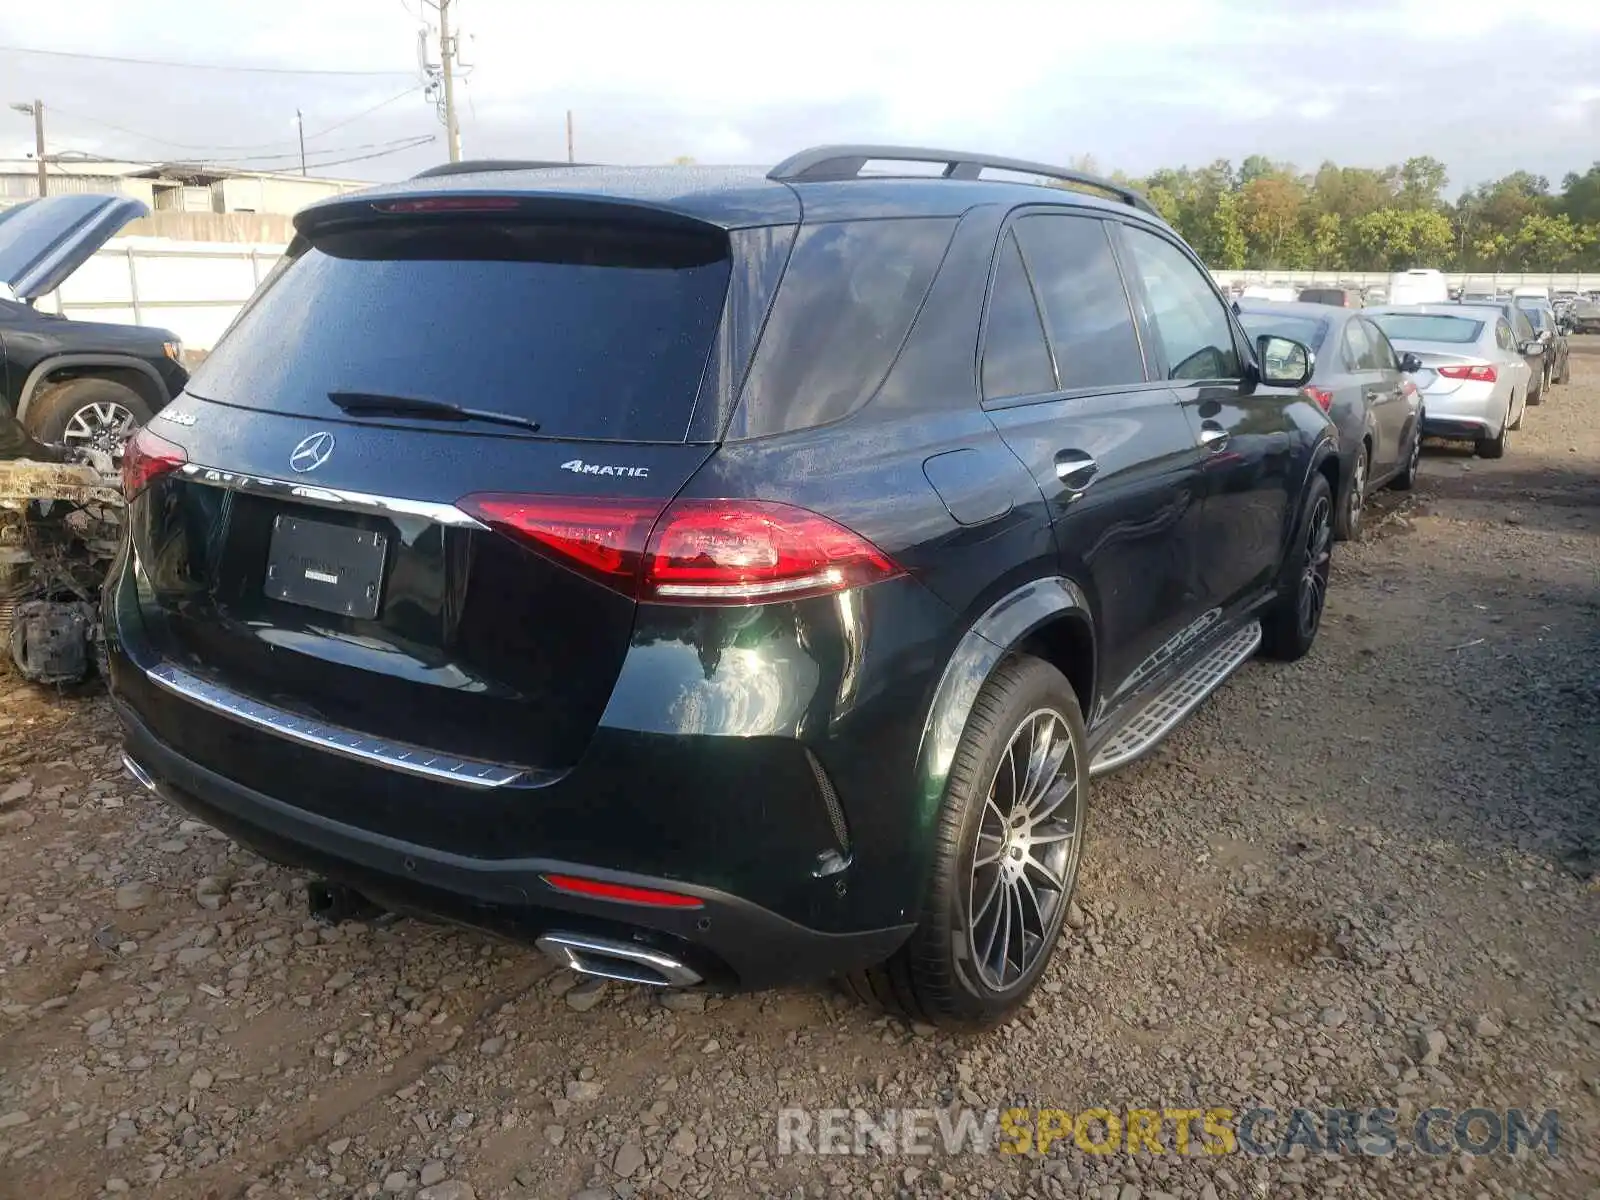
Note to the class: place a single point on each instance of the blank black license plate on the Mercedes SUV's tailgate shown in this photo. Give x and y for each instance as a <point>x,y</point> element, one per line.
<point>329,567</point>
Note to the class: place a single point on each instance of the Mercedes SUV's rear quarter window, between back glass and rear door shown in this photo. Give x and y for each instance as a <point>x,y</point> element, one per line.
<point>846,306</point>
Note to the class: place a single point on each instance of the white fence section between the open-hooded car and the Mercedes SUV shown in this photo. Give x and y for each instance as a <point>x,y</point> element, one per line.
<point>193,289</point>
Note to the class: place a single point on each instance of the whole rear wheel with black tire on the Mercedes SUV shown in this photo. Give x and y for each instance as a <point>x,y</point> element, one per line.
<point>954,970</point>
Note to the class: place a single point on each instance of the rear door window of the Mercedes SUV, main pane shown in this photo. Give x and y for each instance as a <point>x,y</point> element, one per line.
<point>1087,313</point>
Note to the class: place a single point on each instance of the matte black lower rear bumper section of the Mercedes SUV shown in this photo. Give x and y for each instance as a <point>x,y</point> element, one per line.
<point>729,942</point>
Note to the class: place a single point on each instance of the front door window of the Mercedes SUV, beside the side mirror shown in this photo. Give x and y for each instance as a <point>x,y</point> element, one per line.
<point>1185,310</point>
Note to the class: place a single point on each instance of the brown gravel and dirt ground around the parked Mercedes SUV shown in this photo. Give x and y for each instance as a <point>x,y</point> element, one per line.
<point>1364,881</point>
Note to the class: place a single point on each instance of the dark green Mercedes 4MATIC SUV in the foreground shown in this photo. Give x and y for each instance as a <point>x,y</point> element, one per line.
<point>716,577</point>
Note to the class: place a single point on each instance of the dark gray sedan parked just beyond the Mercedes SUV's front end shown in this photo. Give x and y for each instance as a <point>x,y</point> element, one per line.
<point>1361,383</point>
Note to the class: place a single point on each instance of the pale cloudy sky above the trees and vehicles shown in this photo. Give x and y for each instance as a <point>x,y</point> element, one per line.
<point>1482,86</point>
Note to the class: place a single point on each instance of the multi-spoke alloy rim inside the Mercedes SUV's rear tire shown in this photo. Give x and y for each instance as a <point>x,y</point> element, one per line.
<point>1026,852</point>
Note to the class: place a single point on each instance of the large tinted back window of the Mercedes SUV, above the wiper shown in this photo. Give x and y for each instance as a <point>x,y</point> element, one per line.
<point>594,332</point>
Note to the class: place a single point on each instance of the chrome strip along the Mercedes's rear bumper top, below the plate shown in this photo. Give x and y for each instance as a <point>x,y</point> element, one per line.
<point>332,738</point>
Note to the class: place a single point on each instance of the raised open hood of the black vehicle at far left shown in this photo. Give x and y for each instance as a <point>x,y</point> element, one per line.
<point>46,241</point>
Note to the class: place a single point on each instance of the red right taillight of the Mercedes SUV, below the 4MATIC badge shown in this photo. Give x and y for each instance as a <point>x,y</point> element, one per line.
<point>697,551</point>
